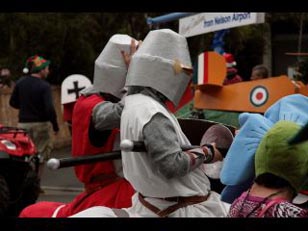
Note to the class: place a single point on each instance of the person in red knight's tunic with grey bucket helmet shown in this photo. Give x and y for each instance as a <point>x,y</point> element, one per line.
<point>103,181</point>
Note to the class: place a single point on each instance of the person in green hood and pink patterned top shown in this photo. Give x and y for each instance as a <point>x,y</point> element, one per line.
<point>281,170</point>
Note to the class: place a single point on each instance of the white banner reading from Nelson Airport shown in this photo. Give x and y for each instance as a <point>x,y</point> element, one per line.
<point>208,22</point>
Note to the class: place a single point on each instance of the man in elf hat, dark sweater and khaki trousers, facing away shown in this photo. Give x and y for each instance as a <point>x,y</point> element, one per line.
<point>32,96</point>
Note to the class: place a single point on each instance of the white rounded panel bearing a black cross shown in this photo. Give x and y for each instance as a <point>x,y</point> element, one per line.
<point>71,87</point>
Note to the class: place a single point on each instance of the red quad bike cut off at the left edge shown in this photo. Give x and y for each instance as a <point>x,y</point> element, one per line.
<point>19,161</point>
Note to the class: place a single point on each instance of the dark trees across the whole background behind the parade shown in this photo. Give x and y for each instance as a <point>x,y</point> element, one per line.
<point>72,41</point>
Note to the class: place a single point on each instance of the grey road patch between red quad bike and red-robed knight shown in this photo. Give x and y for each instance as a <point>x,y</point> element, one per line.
<point>60,185</point>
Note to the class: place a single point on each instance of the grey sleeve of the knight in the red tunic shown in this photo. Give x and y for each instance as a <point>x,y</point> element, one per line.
<point>107,115</point>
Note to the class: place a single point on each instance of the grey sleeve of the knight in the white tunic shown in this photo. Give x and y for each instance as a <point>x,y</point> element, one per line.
<point>162,145</point>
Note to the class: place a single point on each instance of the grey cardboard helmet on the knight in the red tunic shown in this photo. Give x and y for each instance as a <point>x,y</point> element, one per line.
<point>110,69</point>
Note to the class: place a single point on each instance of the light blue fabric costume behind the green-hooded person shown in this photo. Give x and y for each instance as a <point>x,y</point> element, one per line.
<point>238,170</point>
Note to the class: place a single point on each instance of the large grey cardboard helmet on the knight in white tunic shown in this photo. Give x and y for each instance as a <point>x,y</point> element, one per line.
<point>158,64</point>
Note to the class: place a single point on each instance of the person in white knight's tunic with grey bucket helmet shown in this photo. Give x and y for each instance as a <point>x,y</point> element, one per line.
<point>169,182</point>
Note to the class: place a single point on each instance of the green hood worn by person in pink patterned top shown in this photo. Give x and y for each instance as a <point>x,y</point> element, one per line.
<point>274,155</point>
